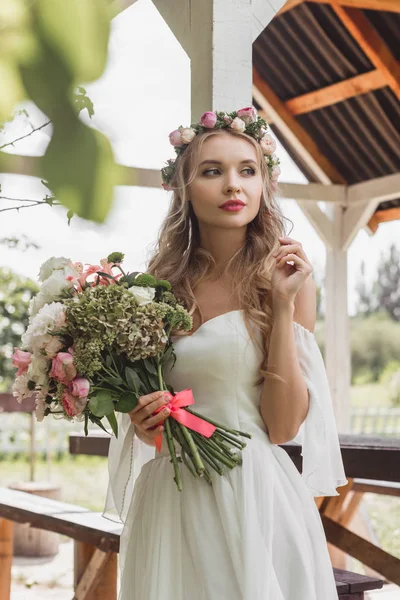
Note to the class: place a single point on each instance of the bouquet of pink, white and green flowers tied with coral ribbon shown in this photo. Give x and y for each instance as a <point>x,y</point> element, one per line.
<point>99,338</point>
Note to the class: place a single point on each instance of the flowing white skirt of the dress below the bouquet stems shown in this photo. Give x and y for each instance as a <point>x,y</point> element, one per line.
<point>256,534</point>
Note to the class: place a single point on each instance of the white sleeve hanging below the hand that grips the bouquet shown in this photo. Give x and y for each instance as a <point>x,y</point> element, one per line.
<point>126,456</point>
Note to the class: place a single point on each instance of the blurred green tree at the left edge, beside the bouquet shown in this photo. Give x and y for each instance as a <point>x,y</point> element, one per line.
<point>15,294</point>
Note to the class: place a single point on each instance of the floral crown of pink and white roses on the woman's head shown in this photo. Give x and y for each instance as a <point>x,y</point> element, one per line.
<point>244,120</point>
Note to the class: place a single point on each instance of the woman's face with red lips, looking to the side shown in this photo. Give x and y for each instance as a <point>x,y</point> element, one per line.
<point>227,169</point>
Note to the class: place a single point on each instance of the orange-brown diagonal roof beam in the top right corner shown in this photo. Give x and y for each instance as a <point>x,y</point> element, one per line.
<point>372,44</point>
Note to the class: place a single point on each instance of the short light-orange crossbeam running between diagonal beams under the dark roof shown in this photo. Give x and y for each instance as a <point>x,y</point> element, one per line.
<point>337,92</point>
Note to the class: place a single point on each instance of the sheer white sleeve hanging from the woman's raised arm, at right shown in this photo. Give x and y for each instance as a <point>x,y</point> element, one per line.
<point>323,469</point>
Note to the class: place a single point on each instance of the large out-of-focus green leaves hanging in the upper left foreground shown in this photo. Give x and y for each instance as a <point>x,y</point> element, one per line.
<point>47,47</point>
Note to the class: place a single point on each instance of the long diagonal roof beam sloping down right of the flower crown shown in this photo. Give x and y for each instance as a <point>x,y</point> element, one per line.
<point>294,133</point>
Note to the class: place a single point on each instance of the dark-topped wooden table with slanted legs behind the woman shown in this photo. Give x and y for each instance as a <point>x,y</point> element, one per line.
<point>364,457</point>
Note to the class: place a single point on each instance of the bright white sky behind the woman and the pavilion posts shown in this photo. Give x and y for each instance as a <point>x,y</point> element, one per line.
<point>143,94</point>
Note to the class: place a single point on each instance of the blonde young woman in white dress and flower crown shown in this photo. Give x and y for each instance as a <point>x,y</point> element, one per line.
<point>252,363</point>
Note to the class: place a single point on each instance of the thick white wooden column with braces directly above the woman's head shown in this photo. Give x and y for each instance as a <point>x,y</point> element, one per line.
<point>218,37</point>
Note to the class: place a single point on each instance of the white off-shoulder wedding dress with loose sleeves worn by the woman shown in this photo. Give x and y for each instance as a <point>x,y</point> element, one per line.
<point>256,533</point>
